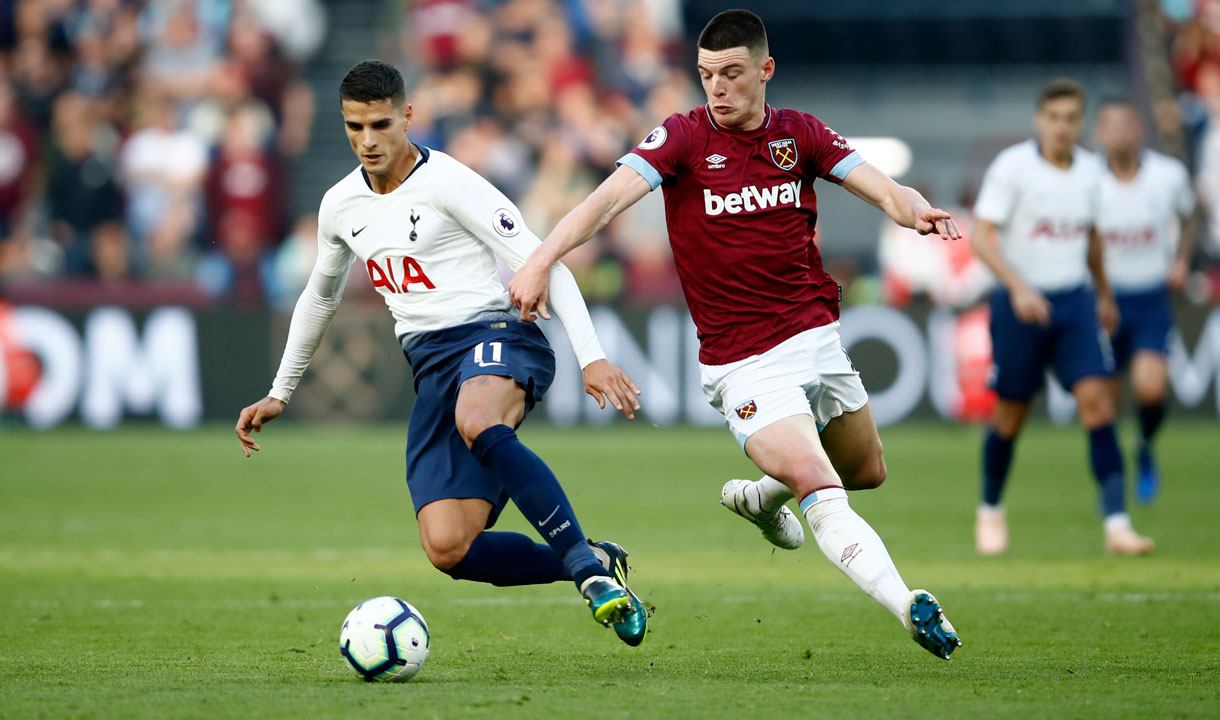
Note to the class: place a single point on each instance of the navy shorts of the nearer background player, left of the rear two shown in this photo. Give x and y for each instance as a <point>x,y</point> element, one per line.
<point>1073,345</point>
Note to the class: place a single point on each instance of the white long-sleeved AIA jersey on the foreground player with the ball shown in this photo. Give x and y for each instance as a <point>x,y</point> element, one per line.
<point>429,248</point>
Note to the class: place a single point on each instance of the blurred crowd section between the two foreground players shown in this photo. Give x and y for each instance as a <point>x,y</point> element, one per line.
<point>542,97</point>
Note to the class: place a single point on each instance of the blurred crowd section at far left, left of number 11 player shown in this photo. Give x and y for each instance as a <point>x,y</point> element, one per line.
<point>148,139</point>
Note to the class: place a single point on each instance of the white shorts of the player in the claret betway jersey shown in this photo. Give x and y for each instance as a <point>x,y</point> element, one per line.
<point>808,374</point>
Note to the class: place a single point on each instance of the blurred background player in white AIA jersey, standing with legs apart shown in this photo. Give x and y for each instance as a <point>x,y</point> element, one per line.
<point>1039,198</point>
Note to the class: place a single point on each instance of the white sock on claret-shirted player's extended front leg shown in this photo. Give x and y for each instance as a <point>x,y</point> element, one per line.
<point>852,546</point>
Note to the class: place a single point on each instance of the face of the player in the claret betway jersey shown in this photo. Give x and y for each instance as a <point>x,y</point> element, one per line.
<point>736,86</point>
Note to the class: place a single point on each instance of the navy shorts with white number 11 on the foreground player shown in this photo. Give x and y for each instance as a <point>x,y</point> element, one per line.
<point>439,463</point>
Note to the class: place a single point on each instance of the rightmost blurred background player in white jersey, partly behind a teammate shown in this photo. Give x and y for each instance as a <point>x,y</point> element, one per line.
<point>1145,214</point>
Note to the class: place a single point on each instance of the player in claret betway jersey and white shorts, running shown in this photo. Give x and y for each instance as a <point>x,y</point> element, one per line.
<point>739,182</point>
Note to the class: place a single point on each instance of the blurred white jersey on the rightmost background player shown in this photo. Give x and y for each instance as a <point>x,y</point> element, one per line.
<point>1140,221</point>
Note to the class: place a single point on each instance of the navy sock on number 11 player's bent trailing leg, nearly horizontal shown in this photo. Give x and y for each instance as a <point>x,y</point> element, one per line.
<point>508,560</point>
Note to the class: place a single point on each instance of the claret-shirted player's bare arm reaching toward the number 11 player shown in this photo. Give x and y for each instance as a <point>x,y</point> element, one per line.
<point>619,192</point>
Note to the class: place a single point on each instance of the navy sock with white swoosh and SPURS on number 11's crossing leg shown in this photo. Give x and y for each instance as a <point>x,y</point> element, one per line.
<point>536,492</point>
